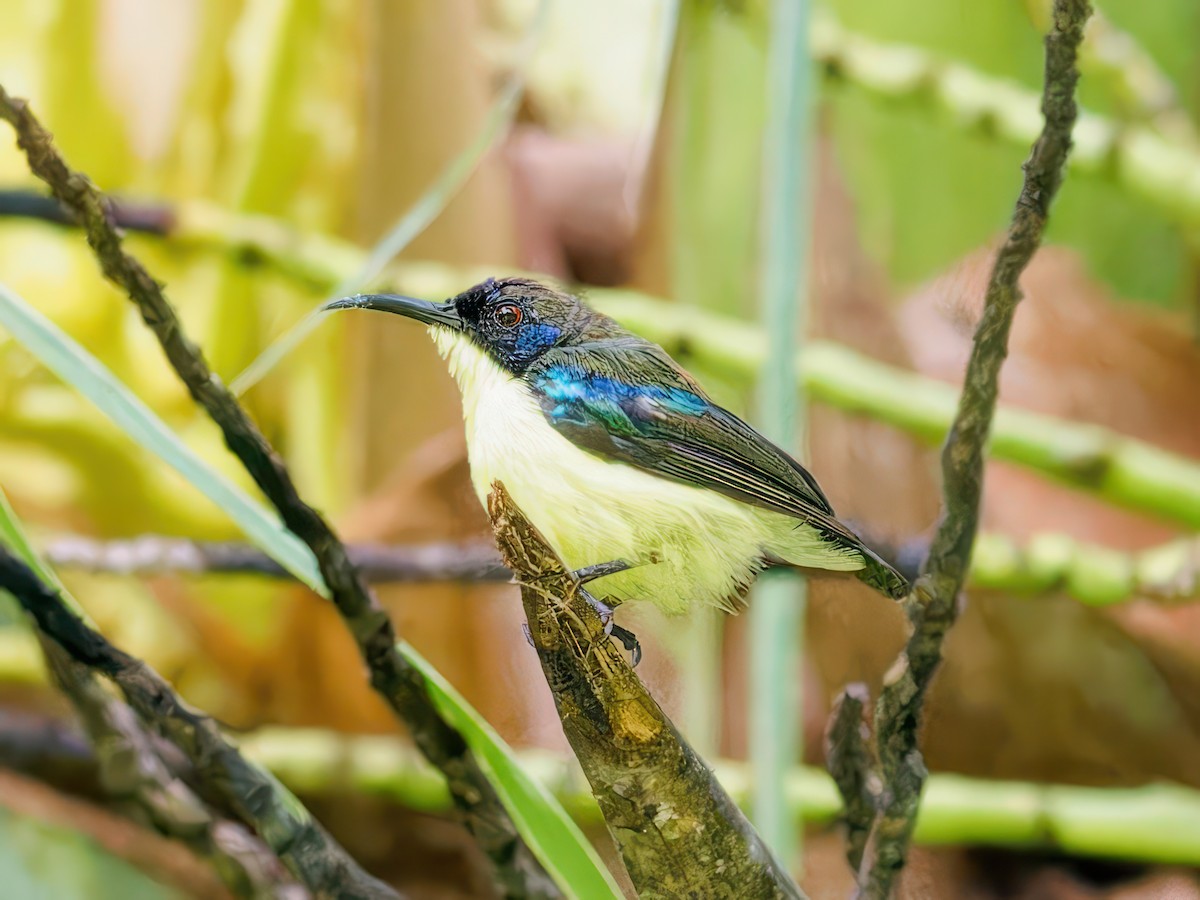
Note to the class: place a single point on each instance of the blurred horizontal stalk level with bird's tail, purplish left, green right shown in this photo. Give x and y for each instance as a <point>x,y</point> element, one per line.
<point>1047,563</point>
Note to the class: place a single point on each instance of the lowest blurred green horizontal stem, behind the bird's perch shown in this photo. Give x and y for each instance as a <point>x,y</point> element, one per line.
<point>1151,824</point>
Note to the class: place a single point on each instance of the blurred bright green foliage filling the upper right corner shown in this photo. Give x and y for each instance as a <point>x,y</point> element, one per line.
<point>937,194</point>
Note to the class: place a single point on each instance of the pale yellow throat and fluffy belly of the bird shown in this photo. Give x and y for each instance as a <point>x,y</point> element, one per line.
<point>689,545</point>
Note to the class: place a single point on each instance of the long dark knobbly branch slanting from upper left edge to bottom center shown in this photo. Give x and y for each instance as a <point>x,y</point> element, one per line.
<point>393,676</point>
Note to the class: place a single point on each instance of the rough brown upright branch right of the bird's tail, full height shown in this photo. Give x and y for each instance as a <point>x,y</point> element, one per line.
<point>934,604</point>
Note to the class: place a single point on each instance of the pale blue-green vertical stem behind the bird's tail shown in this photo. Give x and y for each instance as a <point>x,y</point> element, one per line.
<point>777,617</point>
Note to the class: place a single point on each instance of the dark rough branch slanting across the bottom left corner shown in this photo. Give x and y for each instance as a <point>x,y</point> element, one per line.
<point>249,790</point>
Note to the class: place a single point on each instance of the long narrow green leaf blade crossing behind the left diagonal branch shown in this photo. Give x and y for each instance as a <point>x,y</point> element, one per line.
<point>557,842</point>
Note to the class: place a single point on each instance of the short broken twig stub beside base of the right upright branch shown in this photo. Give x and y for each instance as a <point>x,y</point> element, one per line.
<point>853,767</point>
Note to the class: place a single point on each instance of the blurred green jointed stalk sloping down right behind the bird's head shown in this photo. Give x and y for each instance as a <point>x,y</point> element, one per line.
<point>1117,469</point>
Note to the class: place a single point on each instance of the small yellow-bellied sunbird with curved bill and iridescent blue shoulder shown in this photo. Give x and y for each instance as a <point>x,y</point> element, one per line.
<point>617,454</point>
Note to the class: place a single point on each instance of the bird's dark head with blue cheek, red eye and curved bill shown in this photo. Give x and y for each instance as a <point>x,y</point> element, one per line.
<point>514,320</point>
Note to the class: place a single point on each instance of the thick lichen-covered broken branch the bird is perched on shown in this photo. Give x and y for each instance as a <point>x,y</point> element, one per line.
<point>679,832</point>
